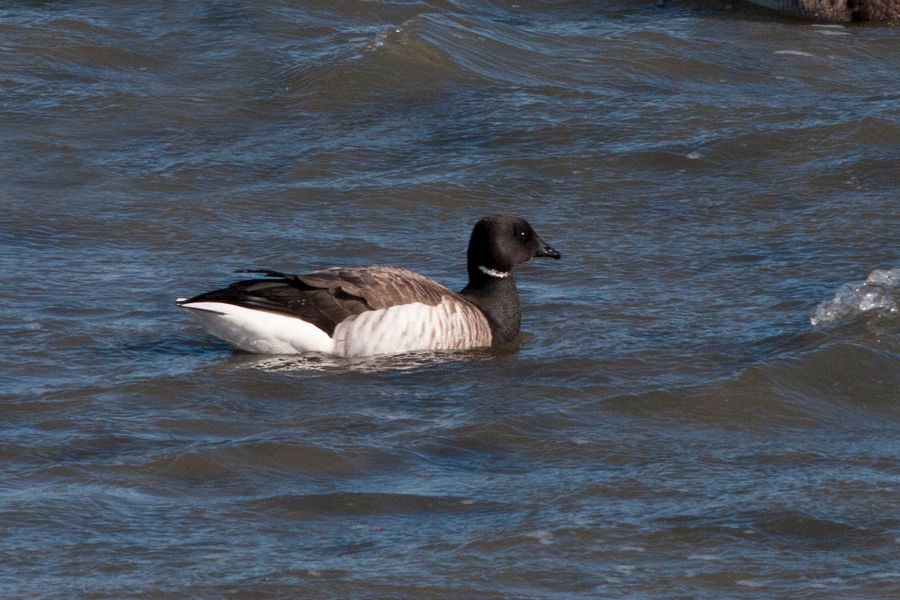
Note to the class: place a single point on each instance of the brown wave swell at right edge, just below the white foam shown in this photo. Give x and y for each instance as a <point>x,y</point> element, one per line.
<point>845,385</point>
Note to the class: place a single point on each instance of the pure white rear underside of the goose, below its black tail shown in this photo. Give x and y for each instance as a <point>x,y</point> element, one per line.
<point>260,331</point>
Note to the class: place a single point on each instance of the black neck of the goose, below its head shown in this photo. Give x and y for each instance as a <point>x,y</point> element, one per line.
<point>498,299</point>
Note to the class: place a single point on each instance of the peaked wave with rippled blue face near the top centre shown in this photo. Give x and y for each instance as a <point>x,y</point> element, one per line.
<point>429,51</point>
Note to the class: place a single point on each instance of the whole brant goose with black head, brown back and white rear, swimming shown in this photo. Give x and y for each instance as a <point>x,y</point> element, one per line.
<point>362,311</point>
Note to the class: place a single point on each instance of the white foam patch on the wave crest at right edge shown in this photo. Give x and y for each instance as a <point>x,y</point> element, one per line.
<point>876,293</point>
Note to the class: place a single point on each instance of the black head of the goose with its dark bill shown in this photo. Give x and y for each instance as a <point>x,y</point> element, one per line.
<point>500,242</point>
